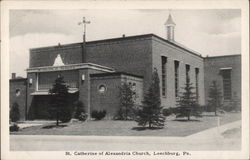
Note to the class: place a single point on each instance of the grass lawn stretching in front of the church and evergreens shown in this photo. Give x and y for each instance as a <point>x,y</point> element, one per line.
<point>173,127</point>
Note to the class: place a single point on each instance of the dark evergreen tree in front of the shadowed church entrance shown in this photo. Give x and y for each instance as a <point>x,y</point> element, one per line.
<point>59,104</point>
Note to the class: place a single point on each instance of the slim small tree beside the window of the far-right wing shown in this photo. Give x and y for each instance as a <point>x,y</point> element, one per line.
<point>214,97</point>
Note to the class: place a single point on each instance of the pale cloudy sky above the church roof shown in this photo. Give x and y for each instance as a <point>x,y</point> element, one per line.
<point>209,32</point>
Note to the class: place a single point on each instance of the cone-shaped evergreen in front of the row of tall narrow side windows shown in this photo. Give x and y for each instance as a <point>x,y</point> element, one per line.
<point>187,103</point>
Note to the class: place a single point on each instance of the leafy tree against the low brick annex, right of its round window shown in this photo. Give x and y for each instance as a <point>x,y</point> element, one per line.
<point>127,101</point>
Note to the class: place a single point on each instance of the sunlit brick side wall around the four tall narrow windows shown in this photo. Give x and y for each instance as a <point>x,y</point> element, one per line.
<point>161,48</point>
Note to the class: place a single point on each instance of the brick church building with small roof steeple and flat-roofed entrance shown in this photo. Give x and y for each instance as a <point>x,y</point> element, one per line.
<point>95,70</point>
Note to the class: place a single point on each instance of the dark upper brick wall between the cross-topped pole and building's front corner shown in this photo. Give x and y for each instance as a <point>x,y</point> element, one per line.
<point>129,54</point>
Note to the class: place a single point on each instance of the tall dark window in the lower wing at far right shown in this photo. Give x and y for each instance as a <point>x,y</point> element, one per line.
<point>227,88</point>
